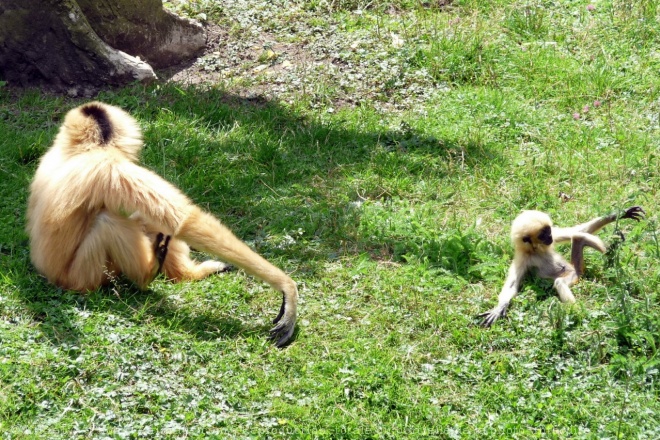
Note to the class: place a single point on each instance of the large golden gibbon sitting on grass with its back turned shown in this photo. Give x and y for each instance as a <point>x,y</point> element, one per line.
<point>94,213</point>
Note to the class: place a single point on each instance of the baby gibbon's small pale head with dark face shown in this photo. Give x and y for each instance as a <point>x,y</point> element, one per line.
<point>531,232</point>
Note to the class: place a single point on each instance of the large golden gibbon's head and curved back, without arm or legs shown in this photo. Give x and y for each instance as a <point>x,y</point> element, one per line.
<point>69,184</point>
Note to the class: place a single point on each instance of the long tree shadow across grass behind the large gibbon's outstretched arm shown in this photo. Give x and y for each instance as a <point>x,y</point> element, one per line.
<point>291,163</point>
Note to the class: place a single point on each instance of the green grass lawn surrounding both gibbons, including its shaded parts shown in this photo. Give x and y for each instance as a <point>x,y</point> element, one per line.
<point>393,220</point>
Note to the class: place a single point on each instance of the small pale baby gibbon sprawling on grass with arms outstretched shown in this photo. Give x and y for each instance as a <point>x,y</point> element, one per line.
<point>533,237</point>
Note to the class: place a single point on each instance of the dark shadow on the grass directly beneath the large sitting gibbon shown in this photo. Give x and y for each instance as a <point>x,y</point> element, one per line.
<point>58,312</point>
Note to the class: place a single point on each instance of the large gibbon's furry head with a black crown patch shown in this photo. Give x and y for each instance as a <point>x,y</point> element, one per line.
<point>98,125</point>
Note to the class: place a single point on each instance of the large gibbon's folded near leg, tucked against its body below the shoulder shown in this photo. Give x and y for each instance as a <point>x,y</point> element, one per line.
<point>117,244</point>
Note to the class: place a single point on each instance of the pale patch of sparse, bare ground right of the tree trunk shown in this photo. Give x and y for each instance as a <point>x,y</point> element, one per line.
<point>291,54</point>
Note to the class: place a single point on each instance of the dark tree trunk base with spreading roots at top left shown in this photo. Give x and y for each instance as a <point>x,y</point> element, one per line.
<point>79,46</point>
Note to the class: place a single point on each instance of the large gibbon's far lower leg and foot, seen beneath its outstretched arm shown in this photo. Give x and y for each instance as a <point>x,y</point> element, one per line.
<point>179,266</point>
